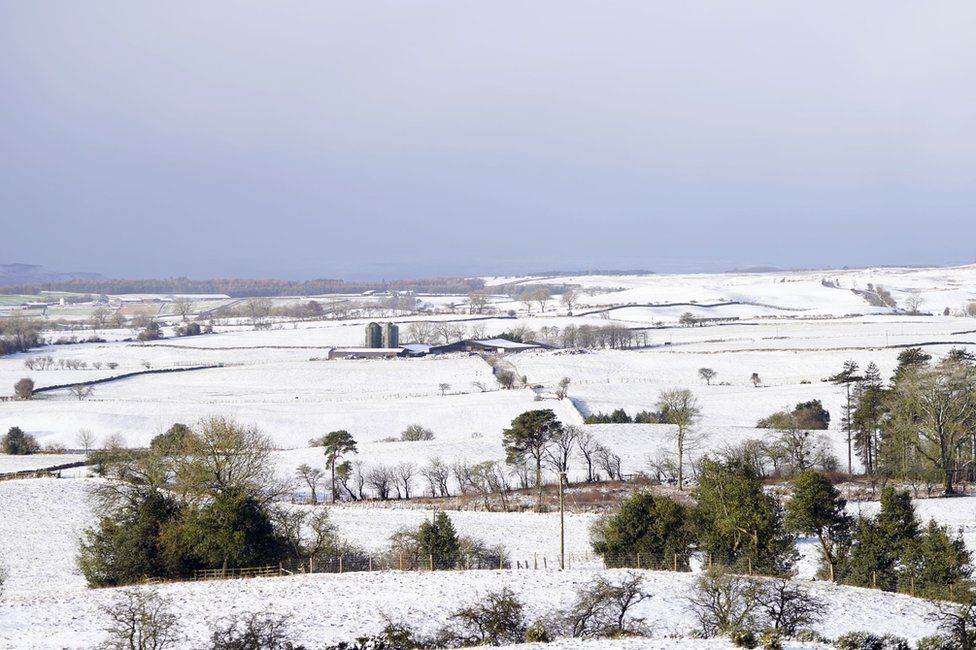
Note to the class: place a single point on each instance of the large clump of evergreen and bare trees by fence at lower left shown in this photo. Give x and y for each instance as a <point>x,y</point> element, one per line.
<point>202,499</point>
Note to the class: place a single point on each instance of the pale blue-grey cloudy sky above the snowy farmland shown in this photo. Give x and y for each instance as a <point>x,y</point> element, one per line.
<point>406,138</point>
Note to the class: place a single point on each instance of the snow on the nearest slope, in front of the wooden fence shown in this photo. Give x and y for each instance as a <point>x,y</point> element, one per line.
<point>351,605</point>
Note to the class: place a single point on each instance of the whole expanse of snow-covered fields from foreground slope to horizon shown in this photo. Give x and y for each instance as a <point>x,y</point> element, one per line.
<point>793,329</point>
